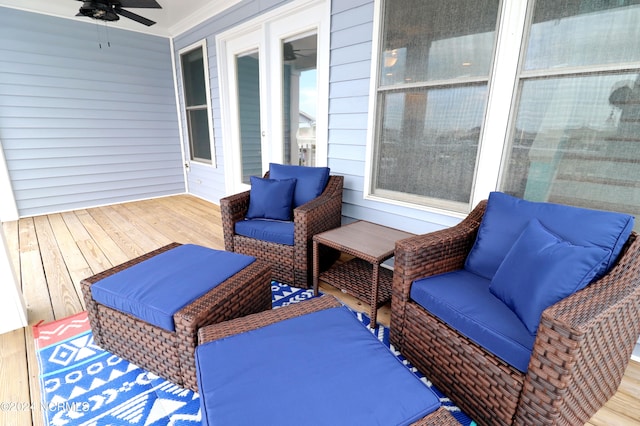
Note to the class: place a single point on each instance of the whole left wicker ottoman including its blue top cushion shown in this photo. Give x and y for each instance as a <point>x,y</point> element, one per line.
<point>151,343</point>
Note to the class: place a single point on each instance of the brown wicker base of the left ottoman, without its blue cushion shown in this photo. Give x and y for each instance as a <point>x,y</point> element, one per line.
<point>171,354</point>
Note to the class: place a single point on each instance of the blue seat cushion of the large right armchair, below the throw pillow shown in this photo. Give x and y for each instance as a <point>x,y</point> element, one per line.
<point>463,301</point>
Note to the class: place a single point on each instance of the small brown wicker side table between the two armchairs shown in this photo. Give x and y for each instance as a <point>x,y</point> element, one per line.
<point>362,277</point>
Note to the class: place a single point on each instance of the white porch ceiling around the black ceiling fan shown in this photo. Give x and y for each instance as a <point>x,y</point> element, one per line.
<point>175,17</point>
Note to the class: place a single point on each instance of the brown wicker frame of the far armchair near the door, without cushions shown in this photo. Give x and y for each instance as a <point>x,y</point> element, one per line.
<point>289,264</point>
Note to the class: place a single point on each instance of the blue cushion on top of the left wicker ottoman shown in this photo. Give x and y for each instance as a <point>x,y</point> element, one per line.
<point>157,288</point>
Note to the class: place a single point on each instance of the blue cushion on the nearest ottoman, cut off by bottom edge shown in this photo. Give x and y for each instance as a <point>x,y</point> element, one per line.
<point>330,358</point>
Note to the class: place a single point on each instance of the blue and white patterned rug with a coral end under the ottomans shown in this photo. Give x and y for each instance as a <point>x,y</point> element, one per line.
<point>82,384</point>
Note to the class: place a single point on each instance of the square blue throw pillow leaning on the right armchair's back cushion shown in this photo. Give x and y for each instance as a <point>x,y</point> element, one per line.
<point>542,269</point>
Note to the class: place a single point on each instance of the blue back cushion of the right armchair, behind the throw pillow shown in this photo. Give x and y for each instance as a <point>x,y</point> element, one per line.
<point>506,217</point>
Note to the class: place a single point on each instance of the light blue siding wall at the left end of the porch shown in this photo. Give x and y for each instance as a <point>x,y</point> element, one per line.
<point>82,123</point>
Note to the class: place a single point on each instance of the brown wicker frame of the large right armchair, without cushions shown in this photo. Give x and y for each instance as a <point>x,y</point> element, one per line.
<point>582,348</point>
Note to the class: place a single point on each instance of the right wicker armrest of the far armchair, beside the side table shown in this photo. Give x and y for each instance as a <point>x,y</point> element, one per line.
<point>320,214</point>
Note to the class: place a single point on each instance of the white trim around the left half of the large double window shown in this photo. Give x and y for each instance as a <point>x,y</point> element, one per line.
<point>502,86</point>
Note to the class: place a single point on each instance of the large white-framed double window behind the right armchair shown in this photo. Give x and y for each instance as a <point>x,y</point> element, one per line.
<point>568,102</point>
